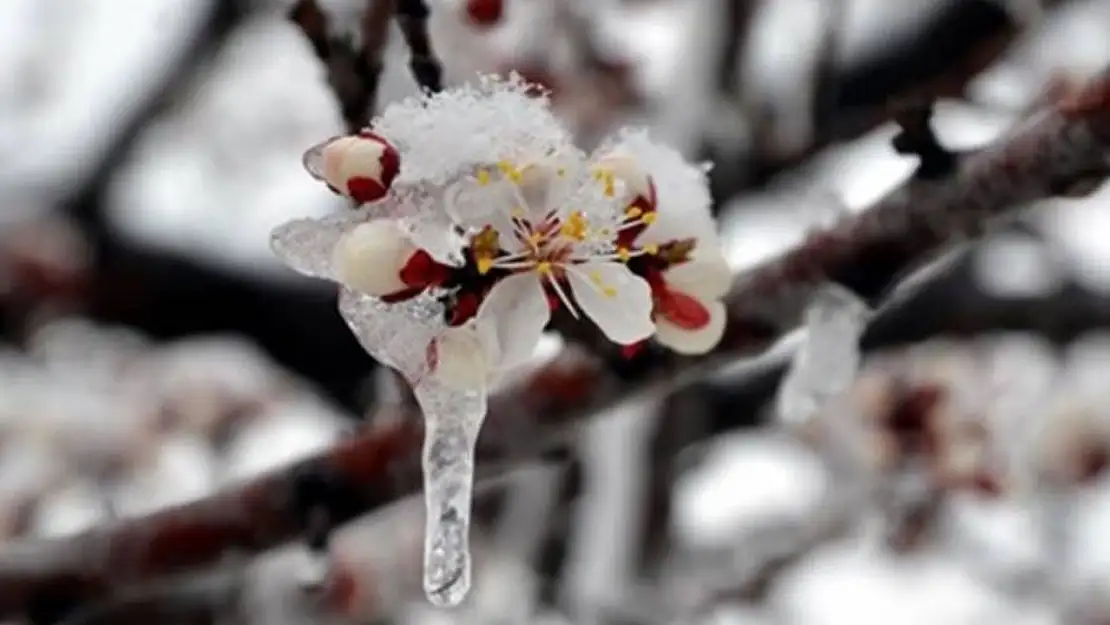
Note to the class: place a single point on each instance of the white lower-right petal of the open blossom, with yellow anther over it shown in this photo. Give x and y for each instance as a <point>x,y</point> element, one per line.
<point>619,301</point>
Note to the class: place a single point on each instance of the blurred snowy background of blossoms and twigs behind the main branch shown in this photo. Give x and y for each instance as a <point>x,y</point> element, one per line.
<point>153,349</point>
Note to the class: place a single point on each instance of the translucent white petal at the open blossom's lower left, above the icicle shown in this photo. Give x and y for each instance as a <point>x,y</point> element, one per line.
<point>516,312</point>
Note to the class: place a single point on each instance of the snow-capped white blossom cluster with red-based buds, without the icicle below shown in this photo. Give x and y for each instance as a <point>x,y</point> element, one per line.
<point>479,218</point>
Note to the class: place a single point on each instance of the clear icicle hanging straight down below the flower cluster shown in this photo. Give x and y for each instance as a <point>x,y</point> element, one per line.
<point>453,420</point>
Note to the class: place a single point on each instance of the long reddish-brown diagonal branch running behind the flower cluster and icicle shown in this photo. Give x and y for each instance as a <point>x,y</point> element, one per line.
<point>1059,148</point>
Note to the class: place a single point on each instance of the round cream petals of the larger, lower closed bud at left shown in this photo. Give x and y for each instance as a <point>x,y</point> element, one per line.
<point>370,257</point>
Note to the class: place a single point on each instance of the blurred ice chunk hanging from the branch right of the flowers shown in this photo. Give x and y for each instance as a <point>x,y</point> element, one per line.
<point>828,362</point>
